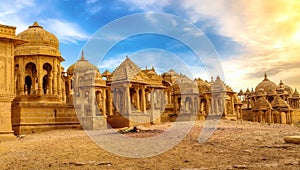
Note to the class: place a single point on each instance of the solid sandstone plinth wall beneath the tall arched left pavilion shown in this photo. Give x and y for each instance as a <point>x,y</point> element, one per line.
<point>37,117</point>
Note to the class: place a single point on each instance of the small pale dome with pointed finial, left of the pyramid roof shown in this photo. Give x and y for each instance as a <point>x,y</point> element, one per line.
<point>81,66</point>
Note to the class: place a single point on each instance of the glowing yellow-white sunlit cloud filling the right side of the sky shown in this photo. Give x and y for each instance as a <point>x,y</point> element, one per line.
<point>268,30</point>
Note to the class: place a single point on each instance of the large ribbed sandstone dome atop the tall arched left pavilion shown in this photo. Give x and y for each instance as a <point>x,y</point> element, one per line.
<point>38,42</point>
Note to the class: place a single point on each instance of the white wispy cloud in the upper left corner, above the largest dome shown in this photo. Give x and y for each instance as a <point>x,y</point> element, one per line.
<point>20,14</point>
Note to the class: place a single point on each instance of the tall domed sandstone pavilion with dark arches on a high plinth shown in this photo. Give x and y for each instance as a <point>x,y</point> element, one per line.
<point>39,85</point>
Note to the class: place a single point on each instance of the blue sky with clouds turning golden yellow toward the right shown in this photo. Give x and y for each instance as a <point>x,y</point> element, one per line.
<point>245,39</point>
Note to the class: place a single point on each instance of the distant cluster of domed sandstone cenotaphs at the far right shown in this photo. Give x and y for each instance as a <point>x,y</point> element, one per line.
<point>271,103</point>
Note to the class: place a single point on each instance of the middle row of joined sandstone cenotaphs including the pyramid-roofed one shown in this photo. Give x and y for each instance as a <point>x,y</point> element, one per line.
<point>130,96</point>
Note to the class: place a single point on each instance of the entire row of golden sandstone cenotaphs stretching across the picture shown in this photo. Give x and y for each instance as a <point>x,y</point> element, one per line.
<point>36,94</point>
